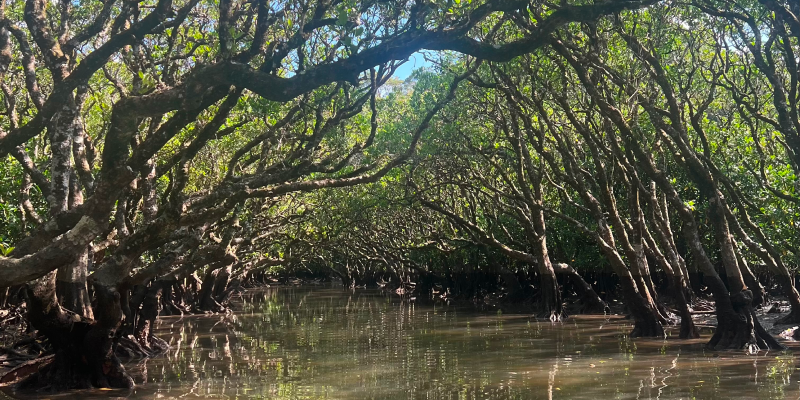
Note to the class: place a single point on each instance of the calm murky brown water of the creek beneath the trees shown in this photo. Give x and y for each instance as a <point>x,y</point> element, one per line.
<point>329,343</point>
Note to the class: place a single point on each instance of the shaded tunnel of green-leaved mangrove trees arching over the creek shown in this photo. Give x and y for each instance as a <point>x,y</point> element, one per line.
<point>159,156</point>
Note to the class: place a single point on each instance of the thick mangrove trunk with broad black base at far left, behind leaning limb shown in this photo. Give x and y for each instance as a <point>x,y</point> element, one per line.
<point>82,346</point>
